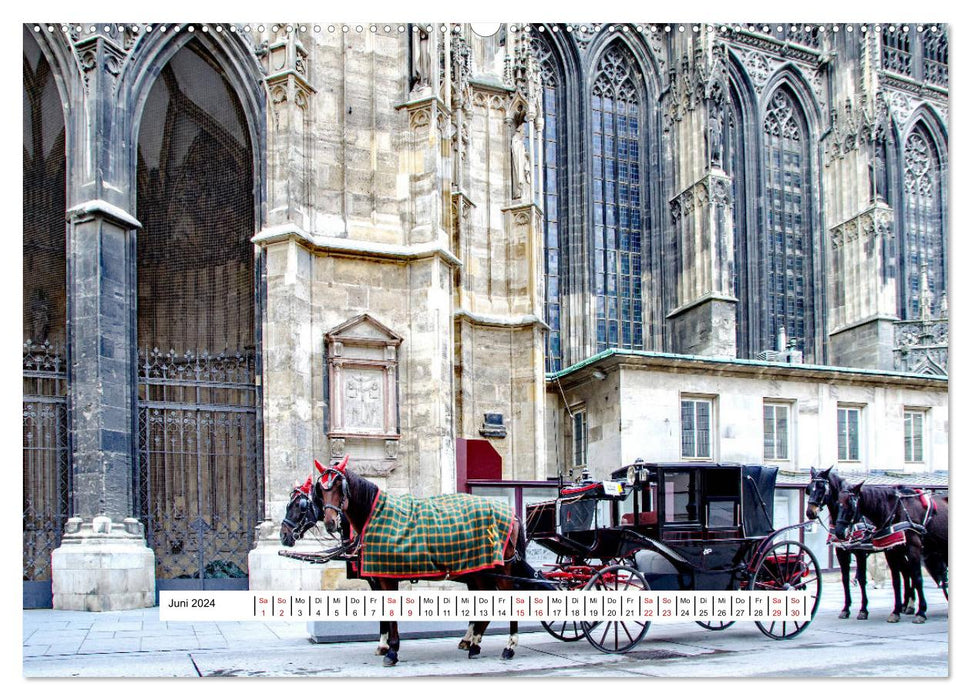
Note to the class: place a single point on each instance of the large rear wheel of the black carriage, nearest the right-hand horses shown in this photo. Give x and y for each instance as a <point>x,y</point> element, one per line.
<point>788,566</point>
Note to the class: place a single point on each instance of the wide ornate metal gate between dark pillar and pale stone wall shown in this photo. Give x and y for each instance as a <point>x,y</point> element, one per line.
<point>199,478</point>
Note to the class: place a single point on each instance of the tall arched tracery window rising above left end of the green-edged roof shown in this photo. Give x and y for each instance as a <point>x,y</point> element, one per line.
<point>617,202</point>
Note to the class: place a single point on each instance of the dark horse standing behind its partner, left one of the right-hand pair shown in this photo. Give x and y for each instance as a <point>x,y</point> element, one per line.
<point>823,492</point>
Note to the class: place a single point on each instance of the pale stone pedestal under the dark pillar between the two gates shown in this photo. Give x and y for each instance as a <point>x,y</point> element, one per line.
<point>102,566</point>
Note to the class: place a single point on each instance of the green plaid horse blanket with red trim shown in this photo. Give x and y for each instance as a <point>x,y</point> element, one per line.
<point>407,537</point>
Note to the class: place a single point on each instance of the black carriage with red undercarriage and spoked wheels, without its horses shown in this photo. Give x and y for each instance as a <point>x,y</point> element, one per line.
<point>671,527</point>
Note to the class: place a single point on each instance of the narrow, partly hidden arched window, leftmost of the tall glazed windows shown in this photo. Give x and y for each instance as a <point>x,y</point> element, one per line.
<point>554,238</point>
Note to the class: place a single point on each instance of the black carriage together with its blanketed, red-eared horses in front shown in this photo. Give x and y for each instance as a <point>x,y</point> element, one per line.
<point>671,527</point>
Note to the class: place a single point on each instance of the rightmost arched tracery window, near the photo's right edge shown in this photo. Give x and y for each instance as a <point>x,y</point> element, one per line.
<point>923,245</point>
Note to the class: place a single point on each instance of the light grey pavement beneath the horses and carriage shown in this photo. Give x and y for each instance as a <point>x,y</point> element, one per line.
<point>137,644</point>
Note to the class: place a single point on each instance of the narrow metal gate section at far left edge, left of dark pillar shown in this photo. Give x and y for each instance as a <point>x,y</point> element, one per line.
<point>46,473</point>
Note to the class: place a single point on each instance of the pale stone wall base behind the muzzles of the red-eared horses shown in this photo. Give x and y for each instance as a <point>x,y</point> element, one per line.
<point>268,571</point>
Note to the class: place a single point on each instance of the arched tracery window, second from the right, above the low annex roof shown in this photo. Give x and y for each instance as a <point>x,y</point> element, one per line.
<point>786,245</point>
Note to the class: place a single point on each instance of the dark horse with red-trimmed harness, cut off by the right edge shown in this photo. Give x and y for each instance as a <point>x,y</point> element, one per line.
<point>921,518</point>
